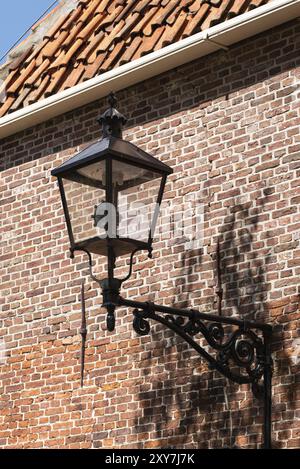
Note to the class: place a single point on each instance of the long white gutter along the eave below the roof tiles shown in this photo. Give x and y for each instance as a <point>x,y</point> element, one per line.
<point>155,63</point>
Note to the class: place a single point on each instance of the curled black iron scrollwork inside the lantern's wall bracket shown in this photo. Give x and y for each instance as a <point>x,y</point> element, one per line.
<point>238,354</point>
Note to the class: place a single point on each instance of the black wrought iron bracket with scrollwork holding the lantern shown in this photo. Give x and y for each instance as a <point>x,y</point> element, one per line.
<point>238,349</point>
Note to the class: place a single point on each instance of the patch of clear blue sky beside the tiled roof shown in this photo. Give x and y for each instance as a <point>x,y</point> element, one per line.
<point>16,16</point>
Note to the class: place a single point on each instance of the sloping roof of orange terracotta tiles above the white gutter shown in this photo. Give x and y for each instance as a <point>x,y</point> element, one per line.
<point>98,35</point>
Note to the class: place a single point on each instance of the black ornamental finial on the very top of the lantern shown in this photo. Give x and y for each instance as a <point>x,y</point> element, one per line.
<point>112,120</point>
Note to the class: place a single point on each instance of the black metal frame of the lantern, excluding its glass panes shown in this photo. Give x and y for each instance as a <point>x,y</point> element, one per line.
<point>111,149</point>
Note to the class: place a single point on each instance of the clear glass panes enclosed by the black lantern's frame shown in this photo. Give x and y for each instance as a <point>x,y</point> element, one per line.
<point>127,220</point>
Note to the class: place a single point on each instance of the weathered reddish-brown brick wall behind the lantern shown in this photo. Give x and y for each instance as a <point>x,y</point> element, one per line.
<point>229,126</point>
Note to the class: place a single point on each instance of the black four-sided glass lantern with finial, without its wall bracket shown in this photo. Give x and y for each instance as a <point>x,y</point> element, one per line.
<point>111,194</point>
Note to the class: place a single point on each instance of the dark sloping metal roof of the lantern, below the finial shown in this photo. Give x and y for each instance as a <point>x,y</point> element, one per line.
<point>116,148</point>
